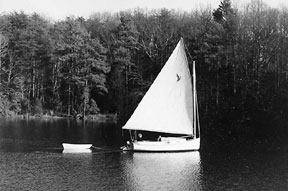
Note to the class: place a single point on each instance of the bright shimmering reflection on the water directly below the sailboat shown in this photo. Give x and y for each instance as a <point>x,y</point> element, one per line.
<point>164,171</point>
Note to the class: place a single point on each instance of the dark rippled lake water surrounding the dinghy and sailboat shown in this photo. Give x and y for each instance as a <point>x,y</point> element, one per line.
<point>31,158</point>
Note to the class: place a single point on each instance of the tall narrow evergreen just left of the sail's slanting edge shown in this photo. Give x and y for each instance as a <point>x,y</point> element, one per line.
<point>124,50</point>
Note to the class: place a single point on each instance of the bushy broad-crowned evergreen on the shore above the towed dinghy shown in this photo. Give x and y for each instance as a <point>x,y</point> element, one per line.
<point>82,63</point>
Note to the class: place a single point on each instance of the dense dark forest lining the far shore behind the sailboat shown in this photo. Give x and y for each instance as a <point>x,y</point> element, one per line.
<point>106,63</point>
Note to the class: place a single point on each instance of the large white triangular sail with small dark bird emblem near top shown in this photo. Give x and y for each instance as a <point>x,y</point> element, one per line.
<point>168,104</point>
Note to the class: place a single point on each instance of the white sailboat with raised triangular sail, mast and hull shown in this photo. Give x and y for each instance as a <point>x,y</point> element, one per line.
<point>169,107</point>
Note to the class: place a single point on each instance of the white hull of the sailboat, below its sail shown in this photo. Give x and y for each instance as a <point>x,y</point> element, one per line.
<point>166,145</point>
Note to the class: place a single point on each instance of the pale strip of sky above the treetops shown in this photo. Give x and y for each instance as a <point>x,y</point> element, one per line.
<point>60,9</point>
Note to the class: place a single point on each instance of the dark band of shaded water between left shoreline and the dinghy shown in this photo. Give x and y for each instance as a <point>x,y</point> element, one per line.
<point>41,134</point>
